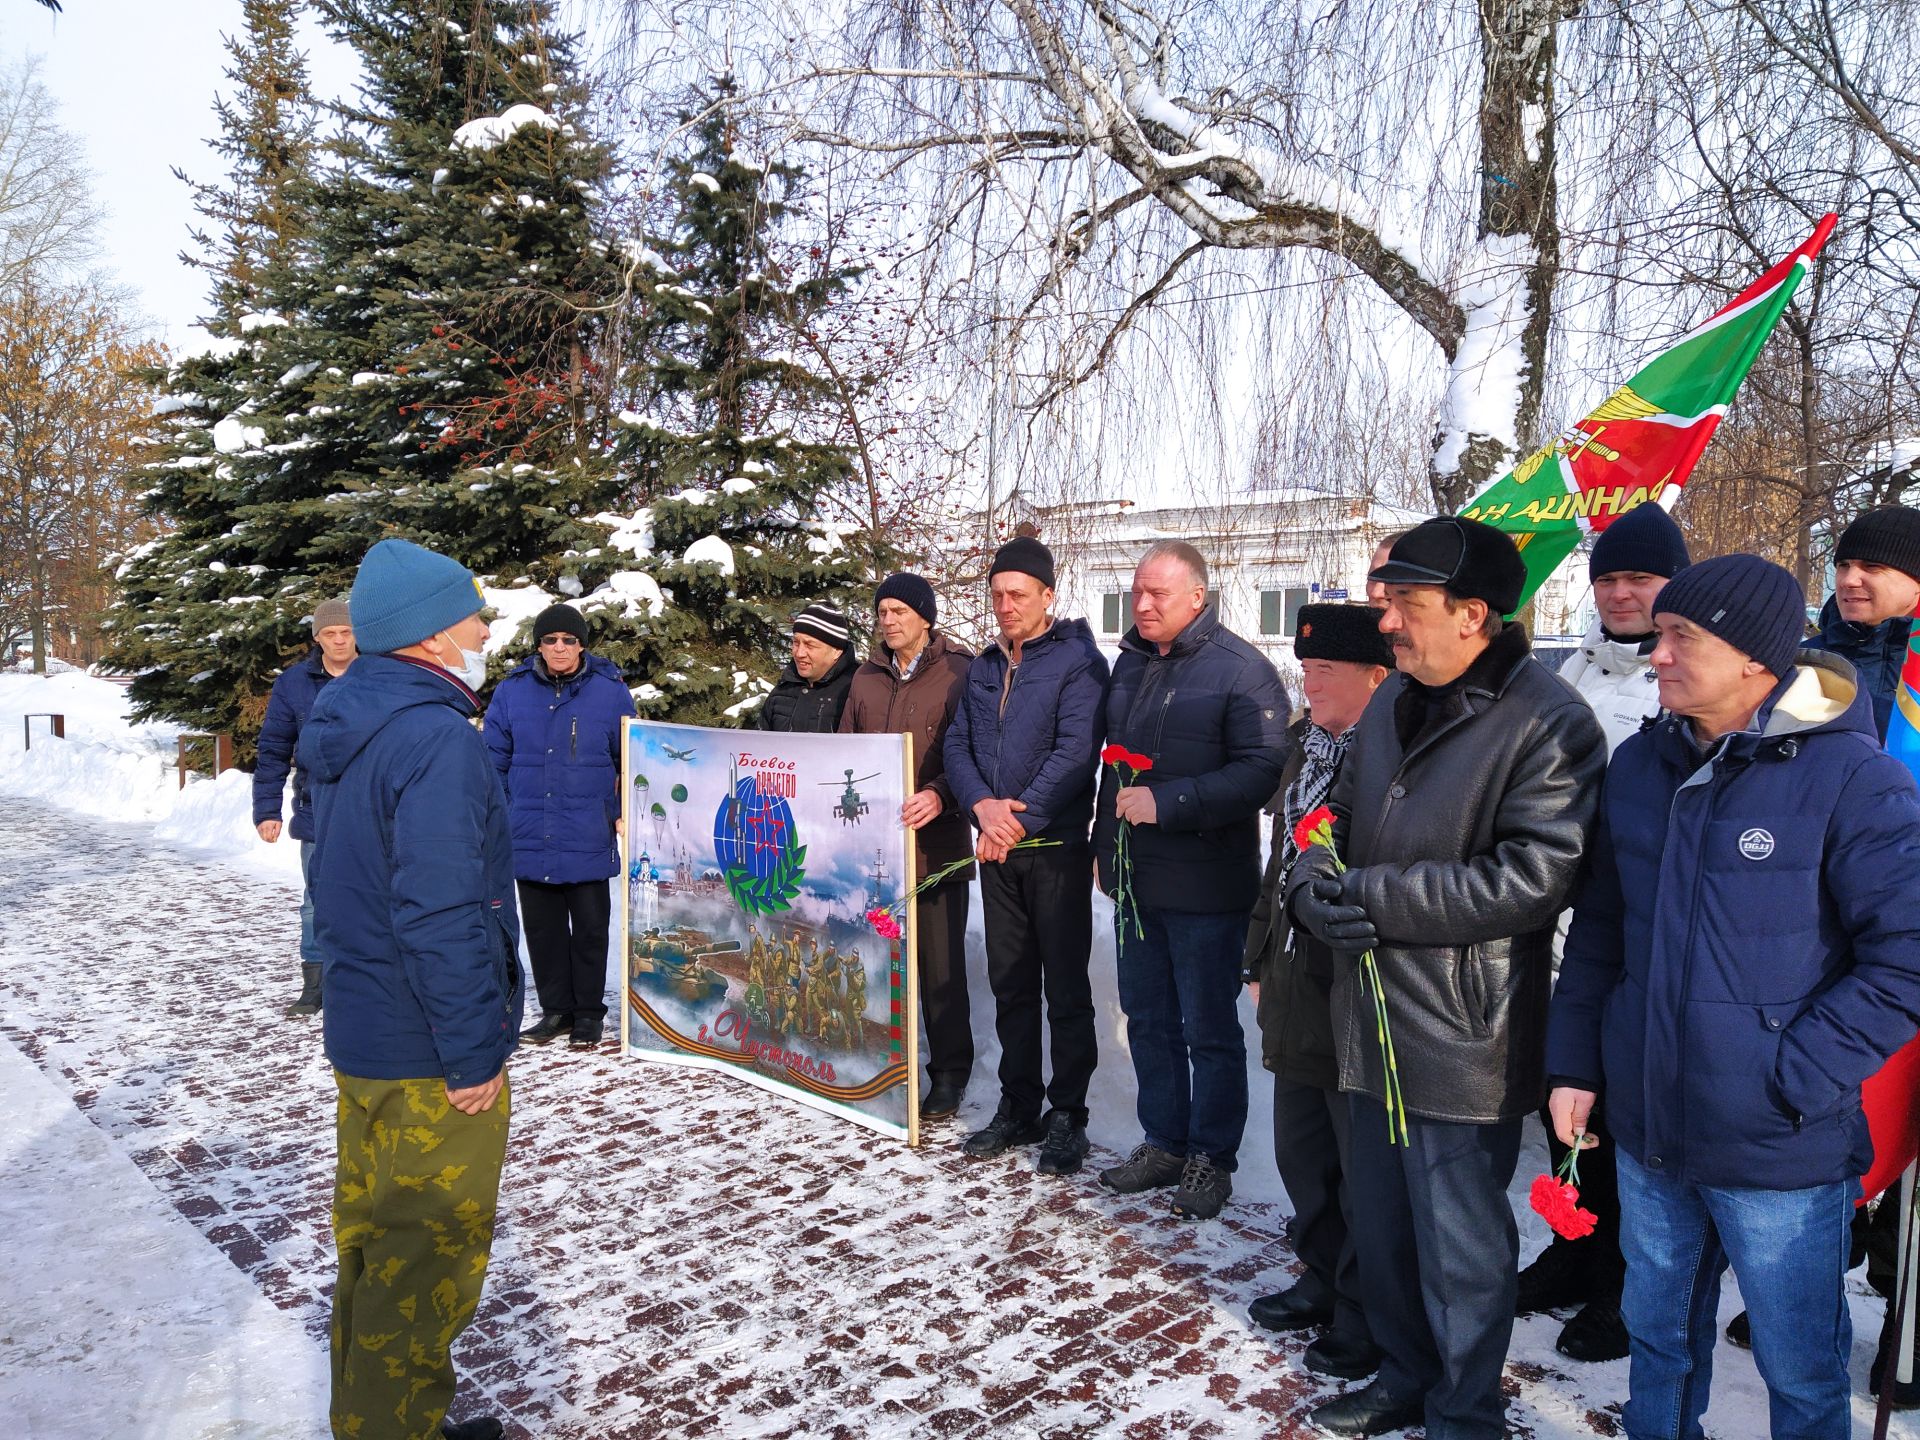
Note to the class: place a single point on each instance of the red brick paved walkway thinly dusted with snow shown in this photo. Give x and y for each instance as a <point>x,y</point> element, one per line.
<point>677,1255</point>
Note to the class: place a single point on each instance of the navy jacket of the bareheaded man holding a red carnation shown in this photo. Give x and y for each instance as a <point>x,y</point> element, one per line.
<point>1212,717</point>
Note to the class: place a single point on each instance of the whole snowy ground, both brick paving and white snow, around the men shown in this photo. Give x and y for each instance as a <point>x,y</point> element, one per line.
<point>677,1255</point>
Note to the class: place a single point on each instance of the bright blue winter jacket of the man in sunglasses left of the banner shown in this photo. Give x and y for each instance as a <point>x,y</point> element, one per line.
<point>556,746</point>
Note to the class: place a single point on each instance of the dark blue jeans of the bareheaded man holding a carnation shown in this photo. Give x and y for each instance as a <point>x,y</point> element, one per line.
<point>1182,992</point>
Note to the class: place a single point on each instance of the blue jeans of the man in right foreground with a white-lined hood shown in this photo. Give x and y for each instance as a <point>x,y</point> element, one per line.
<point>1790,1253</point>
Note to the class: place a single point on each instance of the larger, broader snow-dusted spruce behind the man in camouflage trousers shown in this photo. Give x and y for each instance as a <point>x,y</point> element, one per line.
<point>429,358</point>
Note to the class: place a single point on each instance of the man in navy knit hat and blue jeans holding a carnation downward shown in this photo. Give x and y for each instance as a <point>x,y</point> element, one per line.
<point>1742,957</point>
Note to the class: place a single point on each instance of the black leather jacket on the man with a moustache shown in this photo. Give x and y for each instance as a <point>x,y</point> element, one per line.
<point>1464,852</point>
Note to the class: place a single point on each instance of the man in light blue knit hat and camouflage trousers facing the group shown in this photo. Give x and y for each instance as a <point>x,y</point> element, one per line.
<point>420,949</point>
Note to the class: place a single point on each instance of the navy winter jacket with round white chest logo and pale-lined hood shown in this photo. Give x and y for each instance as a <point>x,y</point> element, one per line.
<point>1748,946</point>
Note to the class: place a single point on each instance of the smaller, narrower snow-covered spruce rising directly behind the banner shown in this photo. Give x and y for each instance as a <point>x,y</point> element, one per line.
<point>725,441</point>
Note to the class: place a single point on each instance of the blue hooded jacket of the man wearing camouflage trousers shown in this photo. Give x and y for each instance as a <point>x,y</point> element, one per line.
<point>412,878</point>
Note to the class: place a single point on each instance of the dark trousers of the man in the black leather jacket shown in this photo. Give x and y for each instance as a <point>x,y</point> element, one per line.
<point>1439,1262</point>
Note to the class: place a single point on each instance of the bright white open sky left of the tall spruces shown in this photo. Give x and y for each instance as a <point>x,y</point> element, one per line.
<point>135,82</point>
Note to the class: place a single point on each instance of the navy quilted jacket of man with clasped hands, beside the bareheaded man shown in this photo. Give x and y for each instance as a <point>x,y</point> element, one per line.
<point>1036,740</point>
